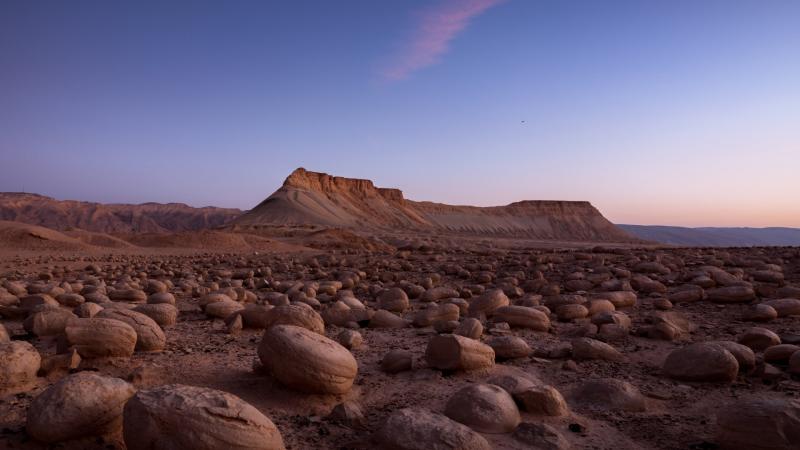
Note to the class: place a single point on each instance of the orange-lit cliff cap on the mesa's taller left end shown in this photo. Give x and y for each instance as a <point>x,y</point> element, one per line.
<point>322,182</point>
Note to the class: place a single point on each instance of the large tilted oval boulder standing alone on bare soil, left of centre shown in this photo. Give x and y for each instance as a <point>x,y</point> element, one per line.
<point>306,361</point>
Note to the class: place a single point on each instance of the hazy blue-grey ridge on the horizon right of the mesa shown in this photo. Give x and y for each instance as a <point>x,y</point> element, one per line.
<point>716,236</point>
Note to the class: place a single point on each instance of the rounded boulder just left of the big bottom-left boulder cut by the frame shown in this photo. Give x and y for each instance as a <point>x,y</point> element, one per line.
<point>78,406</point>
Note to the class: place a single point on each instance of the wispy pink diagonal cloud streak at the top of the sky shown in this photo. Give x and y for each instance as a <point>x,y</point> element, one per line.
<point>433,30</point>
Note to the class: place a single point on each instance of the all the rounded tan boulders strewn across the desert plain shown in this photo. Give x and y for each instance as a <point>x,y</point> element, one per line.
<point>476,310</point>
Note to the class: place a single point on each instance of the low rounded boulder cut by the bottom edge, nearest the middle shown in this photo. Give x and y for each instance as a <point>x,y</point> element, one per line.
<point>419,429</point>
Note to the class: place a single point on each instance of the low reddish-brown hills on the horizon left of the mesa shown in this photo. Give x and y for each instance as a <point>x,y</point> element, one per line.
<point>44,211</point>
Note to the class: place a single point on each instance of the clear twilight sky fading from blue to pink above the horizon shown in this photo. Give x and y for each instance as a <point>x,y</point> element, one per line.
<point>675,112</point>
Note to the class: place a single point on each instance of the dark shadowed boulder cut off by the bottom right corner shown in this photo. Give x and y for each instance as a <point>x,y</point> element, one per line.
<point>759,424</point>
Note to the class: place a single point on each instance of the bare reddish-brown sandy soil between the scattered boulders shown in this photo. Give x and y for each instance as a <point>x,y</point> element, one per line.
<point>201,352</point>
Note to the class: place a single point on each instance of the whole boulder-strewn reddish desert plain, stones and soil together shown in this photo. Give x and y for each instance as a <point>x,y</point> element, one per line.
<point>425,347</point>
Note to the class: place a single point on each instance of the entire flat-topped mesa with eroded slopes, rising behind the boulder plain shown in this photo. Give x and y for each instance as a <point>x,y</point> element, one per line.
<point>321,199</point>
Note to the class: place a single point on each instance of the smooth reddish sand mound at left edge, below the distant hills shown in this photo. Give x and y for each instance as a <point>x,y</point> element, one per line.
<point>14,235</point>
